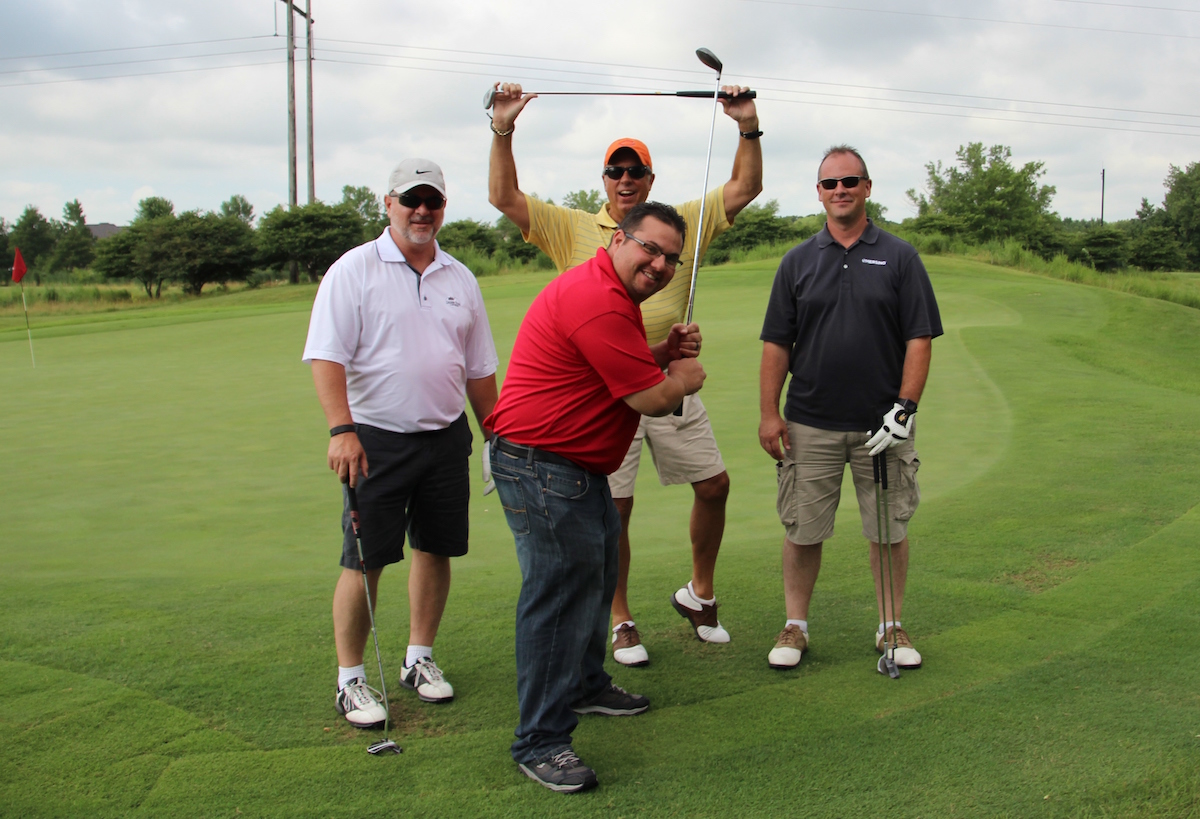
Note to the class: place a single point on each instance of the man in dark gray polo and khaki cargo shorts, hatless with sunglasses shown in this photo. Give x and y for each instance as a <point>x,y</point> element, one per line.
<point>853,318</point>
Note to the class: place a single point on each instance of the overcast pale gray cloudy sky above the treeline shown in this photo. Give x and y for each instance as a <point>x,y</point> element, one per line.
<point>1077,85</point>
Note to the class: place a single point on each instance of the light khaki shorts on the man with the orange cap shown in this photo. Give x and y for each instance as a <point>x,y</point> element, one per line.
<point>683,449</point>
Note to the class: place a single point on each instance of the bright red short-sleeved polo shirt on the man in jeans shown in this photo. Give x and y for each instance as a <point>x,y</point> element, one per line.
<point>580,351</point>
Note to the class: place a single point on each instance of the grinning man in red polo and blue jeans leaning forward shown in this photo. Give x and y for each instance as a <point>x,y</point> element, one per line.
<point>580,379</point>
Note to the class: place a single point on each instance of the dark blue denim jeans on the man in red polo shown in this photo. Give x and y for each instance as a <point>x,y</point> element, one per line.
<point>566,527</point>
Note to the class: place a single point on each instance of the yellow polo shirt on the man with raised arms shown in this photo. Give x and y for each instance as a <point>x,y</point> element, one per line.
<point>572,237</point>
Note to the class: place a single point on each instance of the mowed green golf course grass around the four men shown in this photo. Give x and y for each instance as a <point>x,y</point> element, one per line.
<point>170,541</point>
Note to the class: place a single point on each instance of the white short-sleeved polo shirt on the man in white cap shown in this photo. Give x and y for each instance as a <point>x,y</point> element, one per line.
<point>409,343</point>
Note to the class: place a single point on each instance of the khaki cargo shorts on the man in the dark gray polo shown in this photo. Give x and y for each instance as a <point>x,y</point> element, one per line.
<point>811,483</point>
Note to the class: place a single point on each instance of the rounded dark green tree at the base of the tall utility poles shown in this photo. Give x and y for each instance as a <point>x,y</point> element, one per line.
<point>313,236</point>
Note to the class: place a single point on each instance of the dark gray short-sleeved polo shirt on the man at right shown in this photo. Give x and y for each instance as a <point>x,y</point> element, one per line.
<point>847,315</point>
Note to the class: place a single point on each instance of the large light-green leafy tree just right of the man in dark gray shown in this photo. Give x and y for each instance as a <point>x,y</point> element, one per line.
<point>993,199</point>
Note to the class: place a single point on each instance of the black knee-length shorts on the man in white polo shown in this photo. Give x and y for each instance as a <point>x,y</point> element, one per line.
<point>418,482</point>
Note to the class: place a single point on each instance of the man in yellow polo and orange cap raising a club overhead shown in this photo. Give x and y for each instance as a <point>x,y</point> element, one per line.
<point>685,449</point>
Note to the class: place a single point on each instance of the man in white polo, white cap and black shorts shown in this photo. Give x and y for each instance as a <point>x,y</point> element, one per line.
<point>399,343</point>
